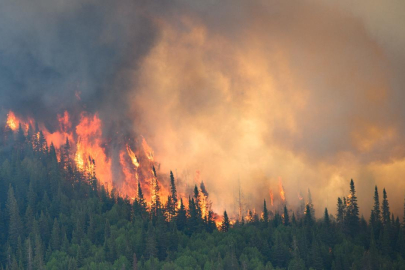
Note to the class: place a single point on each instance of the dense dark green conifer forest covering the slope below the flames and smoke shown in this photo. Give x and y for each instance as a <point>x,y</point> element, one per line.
<point>53,217</point>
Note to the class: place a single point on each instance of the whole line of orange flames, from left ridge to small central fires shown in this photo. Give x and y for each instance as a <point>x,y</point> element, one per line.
<point>81,147</point>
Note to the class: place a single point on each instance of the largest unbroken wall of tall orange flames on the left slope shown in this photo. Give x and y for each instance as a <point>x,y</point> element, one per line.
<point>86,147</point>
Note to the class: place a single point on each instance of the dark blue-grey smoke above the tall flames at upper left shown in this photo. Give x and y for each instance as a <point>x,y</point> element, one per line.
<point>51,52</point>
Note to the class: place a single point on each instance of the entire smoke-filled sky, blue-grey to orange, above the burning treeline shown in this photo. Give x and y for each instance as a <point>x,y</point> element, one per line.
<point>243,91</point>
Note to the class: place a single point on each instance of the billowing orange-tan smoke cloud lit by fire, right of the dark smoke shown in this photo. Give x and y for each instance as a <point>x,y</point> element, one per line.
<point>301,90</point>
